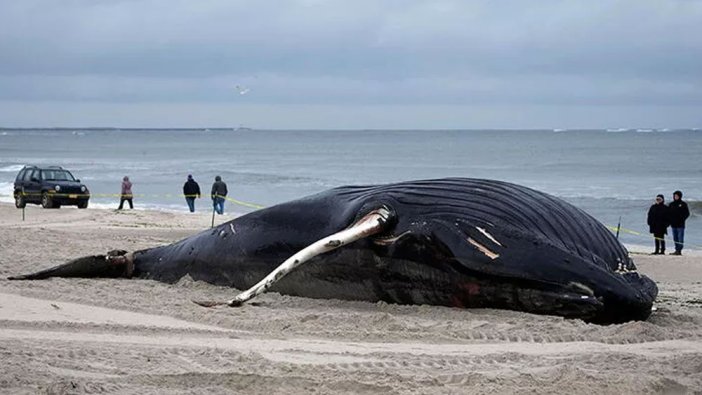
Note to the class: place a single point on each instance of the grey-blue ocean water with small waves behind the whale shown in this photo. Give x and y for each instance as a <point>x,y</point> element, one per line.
<point>608,173</point>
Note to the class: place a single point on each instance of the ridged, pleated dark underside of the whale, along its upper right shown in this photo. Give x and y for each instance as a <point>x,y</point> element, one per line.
<point>506,205</point>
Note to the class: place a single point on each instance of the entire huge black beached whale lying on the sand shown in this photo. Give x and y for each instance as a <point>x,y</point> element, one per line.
<point>453,242</point>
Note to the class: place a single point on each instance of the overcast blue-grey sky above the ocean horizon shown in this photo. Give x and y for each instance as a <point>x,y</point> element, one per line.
<point>351,64</point>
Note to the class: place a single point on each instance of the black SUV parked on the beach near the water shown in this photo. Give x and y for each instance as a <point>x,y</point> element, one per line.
<point>50,186</point>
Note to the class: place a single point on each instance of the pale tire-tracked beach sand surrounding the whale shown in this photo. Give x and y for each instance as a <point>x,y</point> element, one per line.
<point>140,337</point>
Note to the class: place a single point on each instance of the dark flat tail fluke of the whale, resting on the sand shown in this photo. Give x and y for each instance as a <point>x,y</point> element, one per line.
<point>116,263</point>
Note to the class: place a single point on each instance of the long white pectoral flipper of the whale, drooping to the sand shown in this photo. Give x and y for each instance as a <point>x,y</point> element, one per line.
<point>371,224</point>
